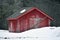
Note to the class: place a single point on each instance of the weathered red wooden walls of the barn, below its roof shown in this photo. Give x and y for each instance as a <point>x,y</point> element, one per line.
<point>28,21</point>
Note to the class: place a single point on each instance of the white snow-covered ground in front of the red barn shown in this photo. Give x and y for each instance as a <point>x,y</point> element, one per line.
<point>46,33</point>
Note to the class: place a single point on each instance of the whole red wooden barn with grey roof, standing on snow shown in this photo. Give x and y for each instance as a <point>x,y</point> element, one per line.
<point>28,18</point>
